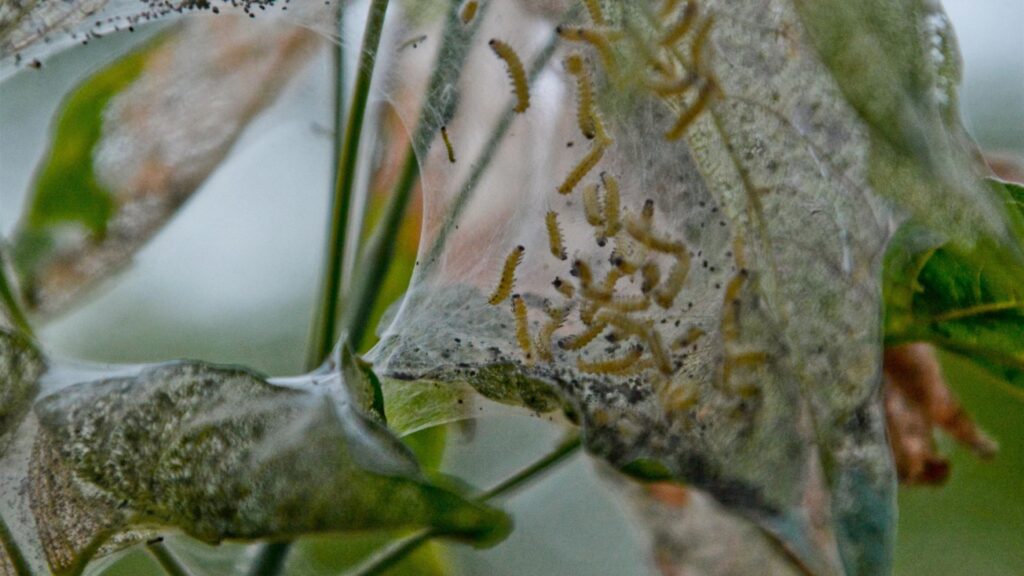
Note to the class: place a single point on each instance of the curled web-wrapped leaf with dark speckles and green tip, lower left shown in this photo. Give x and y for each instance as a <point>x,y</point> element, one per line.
<point>222,454</point>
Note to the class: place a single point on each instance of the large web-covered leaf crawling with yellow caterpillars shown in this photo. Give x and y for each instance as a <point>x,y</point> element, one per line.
<point>755,376</point>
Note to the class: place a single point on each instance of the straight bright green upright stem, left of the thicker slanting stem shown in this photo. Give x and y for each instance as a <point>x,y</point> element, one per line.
<point>326,324</point>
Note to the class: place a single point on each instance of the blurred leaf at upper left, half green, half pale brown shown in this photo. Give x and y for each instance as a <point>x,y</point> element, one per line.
<point>137,140</point>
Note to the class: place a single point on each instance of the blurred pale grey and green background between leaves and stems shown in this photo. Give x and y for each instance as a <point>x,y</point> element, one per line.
<point>237,286</point>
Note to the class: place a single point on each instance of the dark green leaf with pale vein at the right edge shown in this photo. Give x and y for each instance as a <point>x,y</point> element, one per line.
<point>959,299</point>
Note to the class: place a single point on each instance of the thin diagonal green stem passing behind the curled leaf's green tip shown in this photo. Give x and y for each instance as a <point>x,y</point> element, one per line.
<point>400,550</point>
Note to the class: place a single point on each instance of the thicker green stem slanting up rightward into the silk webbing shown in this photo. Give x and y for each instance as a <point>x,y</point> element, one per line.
<point>376,260</point>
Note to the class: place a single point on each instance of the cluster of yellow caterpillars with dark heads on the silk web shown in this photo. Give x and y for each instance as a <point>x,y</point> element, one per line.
<point>646,267</point>
